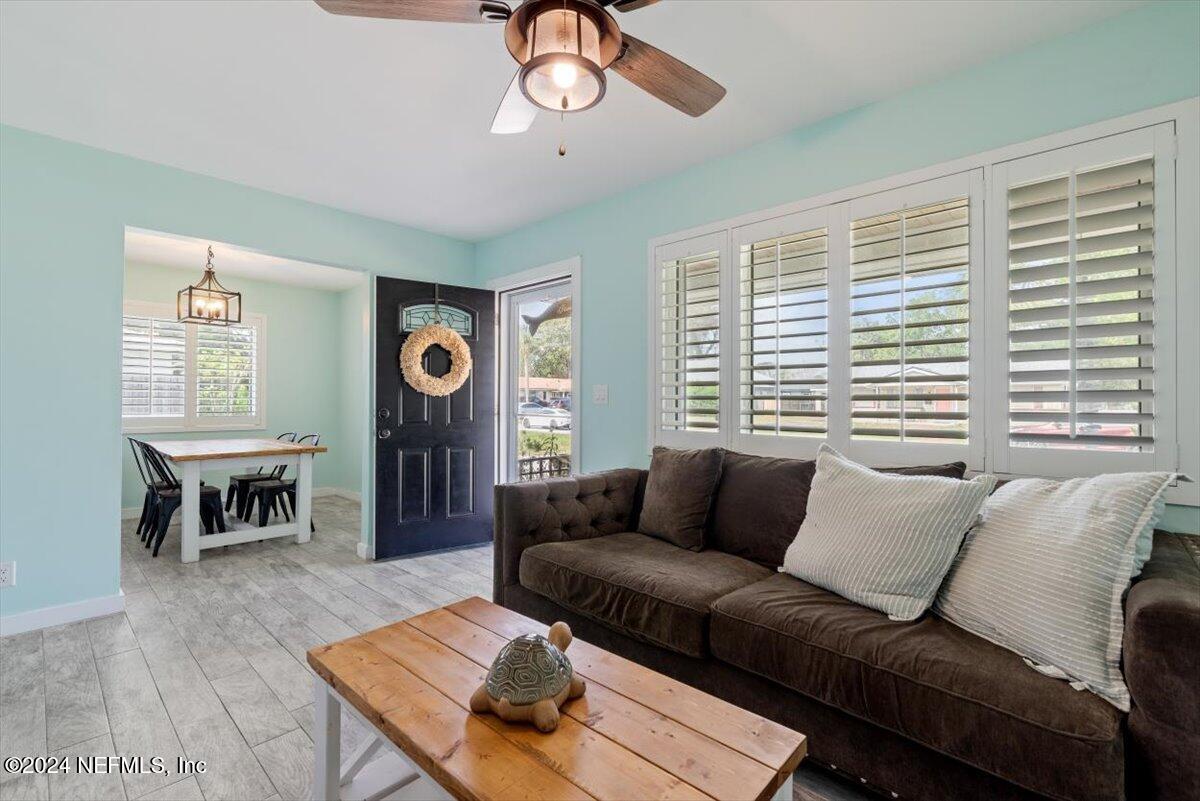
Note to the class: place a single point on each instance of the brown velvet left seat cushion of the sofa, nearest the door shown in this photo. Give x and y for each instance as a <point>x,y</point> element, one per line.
<point>641,587</point>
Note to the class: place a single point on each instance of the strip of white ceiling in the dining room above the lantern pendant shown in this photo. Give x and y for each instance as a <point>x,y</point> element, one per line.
<point>187,254</point>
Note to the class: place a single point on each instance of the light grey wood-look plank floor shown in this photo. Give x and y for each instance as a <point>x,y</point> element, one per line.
<point>207,664</point>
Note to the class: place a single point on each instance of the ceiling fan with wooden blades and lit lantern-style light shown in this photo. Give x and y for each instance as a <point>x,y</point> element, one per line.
<point>563,49</point>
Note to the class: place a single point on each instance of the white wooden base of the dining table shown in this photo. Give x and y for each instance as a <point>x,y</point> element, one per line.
<point>191,540</point>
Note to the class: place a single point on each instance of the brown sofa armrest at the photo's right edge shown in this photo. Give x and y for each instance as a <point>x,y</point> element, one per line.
<point>1162,668</point>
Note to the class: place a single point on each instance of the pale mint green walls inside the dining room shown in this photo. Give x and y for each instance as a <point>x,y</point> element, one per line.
<point>304,384</point>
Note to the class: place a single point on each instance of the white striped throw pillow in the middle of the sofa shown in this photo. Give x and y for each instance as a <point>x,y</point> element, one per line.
<point>883,540</point>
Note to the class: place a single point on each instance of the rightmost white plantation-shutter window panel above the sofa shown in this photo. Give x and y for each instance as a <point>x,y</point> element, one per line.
<point>1085,334</point>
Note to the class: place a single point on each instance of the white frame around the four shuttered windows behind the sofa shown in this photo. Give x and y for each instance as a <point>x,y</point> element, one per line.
<point>1181,156</point>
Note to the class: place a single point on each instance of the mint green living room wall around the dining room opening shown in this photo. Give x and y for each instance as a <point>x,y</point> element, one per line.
<point>63,215</point>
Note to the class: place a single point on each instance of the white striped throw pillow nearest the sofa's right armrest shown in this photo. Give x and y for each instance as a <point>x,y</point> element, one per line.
<point>1046,573</point>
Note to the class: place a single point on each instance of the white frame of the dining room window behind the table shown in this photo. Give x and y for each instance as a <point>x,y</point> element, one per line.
<point>190,421</point>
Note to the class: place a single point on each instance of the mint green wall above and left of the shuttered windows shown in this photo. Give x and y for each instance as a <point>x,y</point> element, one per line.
<point>1133,62</point>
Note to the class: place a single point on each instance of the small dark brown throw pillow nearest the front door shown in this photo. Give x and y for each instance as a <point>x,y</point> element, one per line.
<point>680,495</point>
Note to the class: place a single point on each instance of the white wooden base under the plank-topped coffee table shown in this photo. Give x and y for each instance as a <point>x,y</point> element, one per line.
<point>392,778</point>
